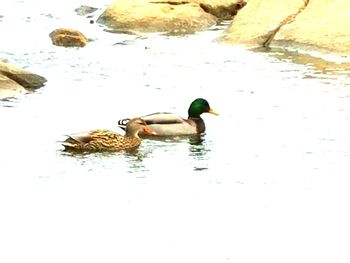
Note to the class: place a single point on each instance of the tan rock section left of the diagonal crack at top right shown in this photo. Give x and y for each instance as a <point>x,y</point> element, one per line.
<point>259,20</point>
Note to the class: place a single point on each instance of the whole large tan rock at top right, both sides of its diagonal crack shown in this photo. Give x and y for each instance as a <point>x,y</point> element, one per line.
<point>303,25</point>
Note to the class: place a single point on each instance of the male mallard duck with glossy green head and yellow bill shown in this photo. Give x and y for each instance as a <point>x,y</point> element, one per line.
<point>169,124</point>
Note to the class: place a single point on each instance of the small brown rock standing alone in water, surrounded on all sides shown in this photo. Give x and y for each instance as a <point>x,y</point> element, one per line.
<point>68,37</point>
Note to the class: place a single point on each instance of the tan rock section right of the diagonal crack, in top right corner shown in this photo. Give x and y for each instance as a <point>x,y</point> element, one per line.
<point>324,25</point>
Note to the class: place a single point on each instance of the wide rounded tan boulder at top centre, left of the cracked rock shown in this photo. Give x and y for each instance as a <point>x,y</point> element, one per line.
<point>152,16</point>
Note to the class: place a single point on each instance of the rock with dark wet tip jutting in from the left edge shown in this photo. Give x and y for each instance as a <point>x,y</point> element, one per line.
<point>14,80</point>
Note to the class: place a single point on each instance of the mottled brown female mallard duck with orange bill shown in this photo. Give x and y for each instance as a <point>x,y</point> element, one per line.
<point>105,140</point>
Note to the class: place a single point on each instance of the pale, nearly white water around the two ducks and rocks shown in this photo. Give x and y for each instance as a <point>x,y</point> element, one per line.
<point>268,182</point>
